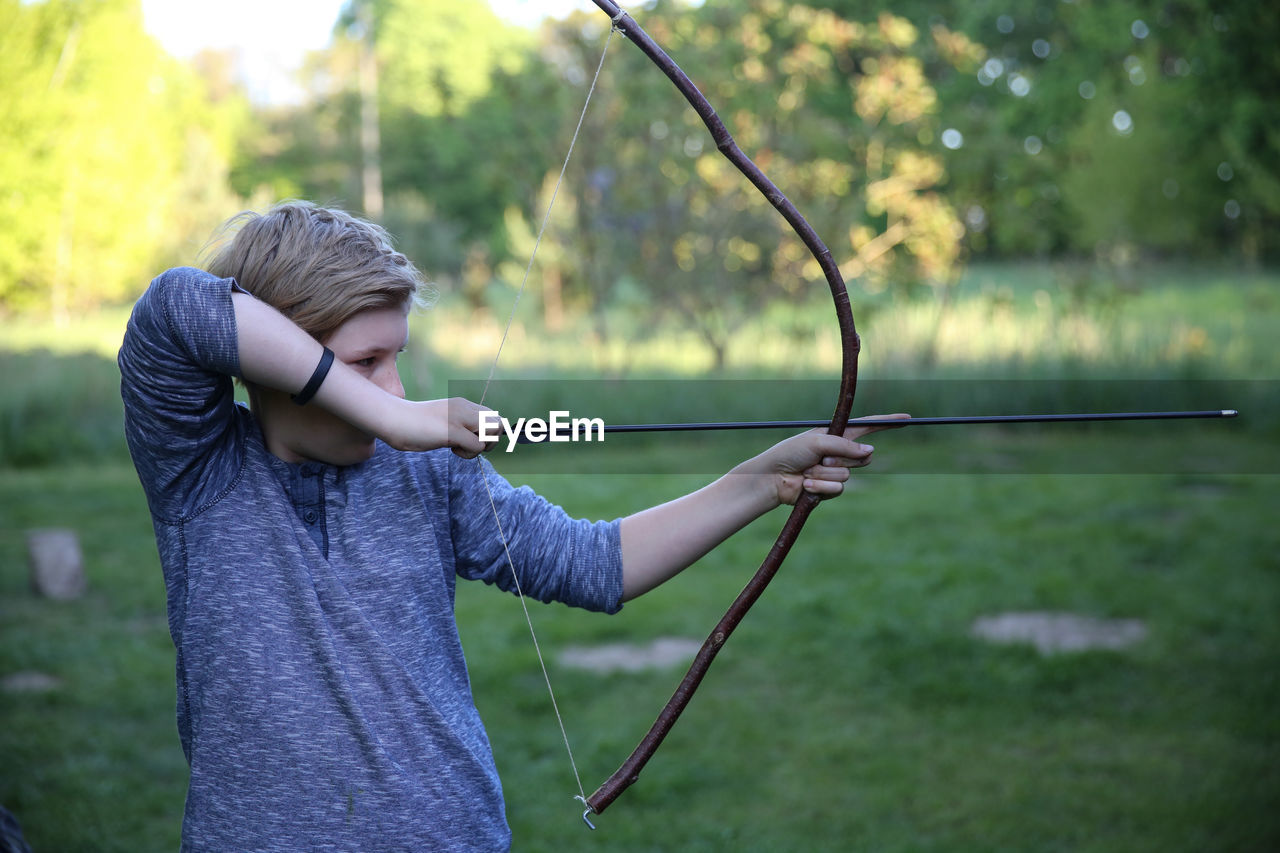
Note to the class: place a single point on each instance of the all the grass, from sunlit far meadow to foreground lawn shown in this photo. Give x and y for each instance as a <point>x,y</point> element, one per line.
<point>853,710</point>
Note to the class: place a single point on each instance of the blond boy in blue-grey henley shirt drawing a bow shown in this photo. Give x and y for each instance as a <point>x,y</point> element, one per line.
<point>312,544</point>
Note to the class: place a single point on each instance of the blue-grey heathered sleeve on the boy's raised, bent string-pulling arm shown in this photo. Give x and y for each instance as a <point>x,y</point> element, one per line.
<point>177,362</point>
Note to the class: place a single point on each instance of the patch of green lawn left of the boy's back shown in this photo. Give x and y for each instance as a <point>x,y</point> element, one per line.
<point>94,764</point>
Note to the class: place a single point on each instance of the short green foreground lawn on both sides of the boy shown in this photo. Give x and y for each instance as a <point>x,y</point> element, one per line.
<point>852,711</point>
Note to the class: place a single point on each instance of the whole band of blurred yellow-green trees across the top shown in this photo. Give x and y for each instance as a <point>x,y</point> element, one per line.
<point>1089,129</point>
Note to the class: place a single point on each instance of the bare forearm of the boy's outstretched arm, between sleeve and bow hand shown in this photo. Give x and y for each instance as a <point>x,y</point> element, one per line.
<point>664,541</point>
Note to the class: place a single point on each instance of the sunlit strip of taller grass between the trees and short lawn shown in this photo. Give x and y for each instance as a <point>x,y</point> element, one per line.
<point>1197,339</point>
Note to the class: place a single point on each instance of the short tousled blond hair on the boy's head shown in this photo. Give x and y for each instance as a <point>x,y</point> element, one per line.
<point>317,266</point>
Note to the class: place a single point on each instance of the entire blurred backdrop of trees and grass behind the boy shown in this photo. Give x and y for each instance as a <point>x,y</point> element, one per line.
<point>1040,207</point>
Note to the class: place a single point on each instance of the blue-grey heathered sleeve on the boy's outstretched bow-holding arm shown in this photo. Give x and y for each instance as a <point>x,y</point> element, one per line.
<point>557,558</point>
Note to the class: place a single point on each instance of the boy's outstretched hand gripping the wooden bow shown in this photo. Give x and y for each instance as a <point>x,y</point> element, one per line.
<point>816,462</point>
